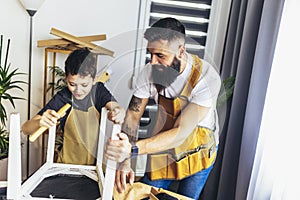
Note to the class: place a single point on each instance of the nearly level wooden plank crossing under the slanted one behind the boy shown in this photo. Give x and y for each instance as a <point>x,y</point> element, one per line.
<point>55,42</point>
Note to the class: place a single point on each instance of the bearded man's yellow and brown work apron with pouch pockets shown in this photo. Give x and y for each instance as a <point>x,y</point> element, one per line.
<point>198,150</point>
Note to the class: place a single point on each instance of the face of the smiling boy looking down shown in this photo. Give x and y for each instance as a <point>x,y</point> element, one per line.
<point>80,86</point>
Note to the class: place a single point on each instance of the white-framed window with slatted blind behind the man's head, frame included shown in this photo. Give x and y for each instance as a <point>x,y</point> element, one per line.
<point>205,21</point>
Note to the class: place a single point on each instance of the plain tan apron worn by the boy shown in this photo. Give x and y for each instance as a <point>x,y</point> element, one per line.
<point>80,137</point>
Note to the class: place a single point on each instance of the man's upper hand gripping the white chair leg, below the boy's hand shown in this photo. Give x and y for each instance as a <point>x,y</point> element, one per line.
<point>118,150</point>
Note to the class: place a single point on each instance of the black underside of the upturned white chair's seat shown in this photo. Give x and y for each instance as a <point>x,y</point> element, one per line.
<point>67,187</point>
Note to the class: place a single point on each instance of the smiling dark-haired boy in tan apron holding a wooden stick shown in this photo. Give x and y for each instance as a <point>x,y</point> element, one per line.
<point>80,124</point>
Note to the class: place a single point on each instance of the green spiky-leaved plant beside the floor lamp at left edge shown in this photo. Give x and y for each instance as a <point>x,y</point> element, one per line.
<point>7,84</point>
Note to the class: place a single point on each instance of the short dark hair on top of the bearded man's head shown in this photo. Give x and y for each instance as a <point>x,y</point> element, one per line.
<point>166,29</point>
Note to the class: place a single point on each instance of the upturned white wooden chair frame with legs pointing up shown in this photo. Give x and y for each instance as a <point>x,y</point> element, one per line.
<point>18,190</point>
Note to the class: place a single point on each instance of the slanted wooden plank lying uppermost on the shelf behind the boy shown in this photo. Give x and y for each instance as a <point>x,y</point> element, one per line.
<point>79,41</point>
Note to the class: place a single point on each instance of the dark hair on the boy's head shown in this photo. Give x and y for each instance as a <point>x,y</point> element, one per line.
<point>81,61</point>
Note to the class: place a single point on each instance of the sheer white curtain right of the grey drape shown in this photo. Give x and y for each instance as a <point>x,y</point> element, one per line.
<point>276,173</point>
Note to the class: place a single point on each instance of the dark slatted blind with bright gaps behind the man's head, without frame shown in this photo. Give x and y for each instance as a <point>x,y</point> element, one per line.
<point>194,14</point>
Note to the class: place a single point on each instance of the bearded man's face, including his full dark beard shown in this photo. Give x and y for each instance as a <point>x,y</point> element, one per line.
<point>165,65</point>
